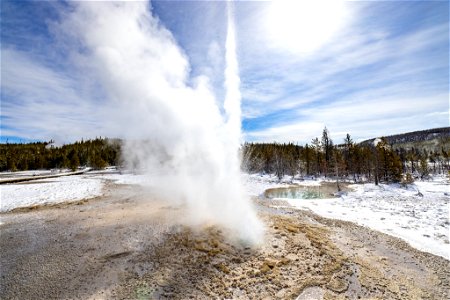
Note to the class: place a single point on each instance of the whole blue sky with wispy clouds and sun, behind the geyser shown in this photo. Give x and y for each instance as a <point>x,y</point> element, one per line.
<point>376,68</point>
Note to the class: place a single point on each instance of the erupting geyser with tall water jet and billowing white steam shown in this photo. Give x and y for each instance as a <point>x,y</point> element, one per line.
<point>174,131</point>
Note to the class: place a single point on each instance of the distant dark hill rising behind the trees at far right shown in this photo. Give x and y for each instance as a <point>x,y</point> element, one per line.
<point>430,140</point>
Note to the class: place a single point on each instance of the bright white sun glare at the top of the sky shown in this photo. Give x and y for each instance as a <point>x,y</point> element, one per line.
<point>303,26</point>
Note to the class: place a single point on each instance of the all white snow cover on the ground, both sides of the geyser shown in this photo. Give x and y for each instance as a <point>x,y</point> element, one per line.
<point>421,219</point>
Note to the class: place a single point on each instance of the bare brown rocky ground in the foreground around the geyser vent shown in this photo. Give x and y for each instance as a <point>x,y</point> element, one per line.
<point>130,245</point>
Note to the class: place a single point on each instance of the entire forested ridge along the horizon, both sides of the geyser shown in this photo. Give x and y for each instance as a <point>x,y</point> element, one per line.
<point>374,160</point>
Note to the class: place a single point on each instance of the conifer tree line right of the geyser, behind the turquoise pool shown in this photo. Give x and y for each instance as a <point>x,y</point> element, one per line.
<point>375,162</point>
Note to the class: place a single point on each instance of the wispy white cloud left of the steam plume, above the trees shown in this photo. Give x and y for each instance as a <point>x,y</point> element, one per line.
<point>39,102</point>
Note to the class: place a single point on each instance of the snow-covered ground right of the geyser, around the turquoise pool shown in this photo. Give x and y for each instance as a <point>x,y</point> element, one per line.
<point>421,219</point>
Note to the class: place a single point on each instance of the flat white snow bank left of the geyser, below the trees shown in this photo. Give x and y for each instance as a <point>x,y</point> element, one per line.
<point>54,190</point>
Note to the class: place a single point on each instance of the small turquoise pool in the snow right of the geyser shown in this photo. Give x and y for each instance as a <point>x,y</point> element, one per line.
<point>323,191</point>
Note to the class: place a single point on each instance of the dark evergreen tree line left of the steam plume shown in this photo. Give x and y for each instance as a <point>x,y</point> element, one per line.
<point>97,153</point>
